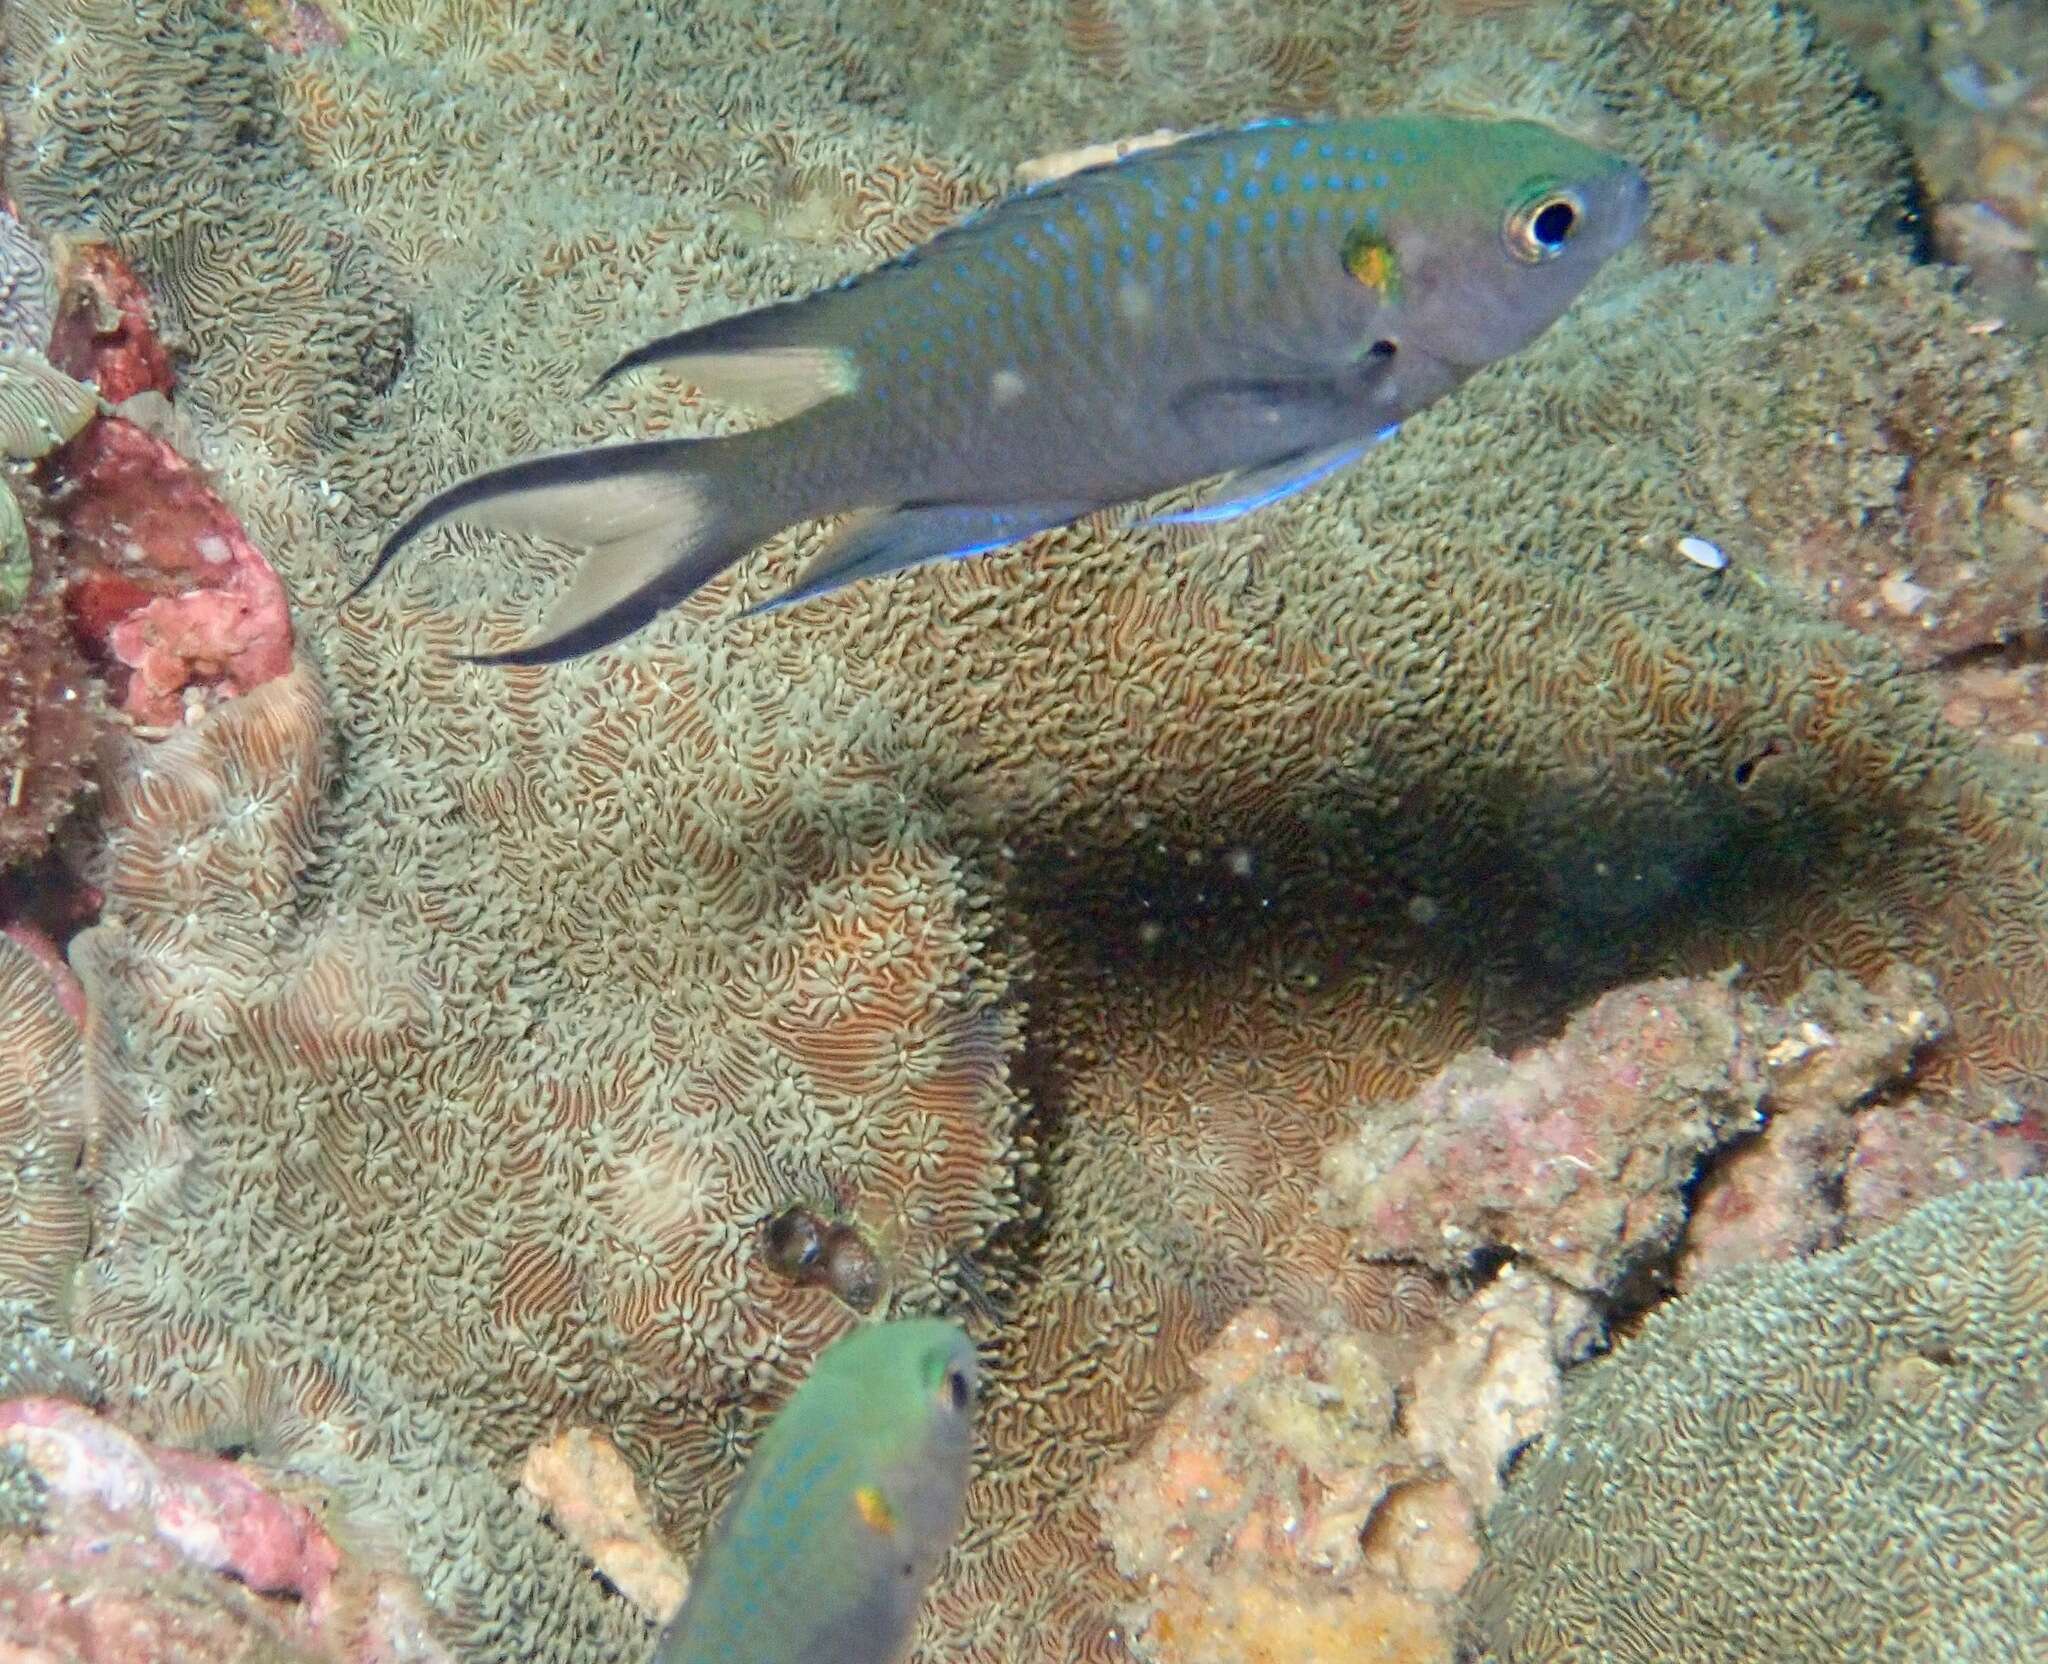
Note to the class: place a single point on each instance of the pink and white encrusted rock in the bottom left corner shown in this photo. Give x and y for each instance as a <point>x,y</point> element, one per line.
<point>146,1556</point>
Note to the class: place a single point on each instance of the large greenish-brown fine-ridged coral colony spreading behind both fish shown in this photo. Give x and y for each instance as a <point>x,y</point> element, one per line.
<point>456,1030</point>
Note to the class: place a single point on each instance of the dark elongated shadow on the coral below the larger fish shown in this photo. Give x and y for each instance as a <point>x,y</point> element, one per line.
<point>1560,899</point>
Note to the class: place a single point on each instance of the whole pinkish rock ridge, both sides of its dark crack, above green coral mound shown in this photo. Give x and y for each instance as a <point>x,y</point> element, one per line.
<point>1576,1157</point>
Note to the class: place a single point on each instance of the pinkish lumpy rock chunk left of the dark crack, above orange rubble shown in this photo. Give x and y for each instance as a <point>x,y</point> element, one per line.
<point>1574,1155</point>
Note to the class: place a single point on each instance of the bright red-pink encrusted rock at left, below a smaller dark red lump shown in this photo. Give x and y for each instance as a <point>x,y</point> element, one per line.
<point>167,587</point>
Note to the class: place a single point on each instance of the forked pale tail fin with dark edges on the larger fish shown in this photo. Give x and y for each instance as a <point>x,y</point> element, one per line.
<point>656,519</point>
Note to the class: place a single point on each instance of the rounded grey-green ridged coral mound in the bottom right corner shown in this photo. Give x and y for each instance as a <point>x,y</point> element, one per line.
<point>1828,1462</point>
